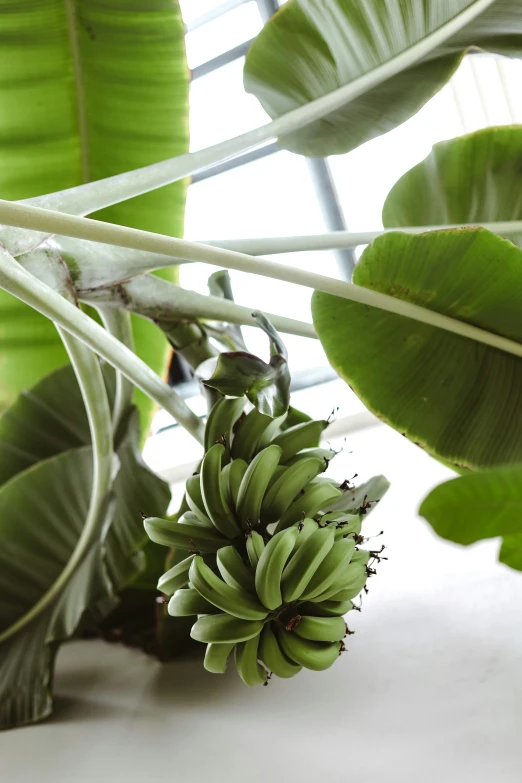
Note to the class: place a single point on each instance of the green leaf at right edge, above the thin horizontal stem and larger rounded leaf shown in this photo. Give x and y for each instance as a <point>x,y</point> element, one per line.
<point>471,179</point>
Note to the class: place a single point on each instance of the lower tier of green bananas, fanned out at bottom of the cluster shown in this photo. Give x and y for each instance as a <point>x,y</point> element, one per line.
<point>279,605</point>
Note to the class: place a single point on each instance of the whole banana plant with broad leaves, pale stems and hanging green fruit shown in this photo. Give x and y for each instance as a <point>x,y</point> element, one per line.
<point>116,80</point>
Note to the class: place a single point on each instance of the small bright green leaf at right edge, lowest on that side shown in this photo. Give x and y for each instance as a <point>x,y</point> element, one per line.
<point>487,504</point>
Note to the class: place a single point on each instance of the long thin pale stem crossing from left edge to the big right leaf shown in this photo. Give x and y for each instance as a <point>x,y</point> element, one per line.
<point>34,217</point>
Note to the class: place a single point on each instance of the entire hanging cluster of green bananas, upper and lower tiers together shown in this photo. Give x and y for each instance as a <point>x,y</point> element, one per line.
<point>268,574</point>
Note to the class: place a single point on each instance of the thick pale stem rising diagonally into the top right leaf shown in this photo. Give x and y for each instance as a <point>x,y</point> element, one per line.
<point>84,199</point>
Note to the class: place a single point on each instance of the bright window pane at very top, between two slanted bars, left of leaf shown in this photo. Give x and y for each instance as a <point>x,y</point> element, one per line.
<point>222,34</point>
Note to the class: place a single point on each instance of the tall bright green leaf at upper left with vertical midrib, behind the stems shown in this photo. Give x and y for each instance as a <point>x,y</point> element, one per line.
<point>89,89</point>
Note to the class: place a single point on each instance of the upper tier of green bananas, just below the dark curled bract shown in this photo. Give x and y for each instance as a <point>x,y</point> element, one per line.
<point>254,474</point>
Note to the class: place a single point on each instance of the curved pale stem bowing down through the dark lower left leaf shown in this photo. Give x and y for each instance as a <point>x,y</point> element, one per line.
<point>87,368</point>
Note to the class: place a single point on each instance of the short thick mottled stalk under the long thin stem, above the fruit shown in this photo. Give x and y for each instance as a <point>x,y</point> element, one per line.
<point>159,300</point>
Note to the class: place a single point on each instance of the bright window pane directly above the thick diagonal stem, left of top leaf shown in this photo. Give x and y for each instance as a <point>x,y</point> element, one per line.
<point>220,108</point>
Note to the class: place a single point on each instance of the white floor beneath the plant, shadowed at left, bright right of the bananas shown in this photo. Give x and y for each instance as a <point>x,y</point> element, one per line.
<point>430,690</point>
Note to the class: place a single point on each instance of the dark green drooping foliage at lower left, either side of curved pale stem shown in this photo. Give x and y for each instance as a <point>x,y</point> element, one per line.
<point>47,475</point>
